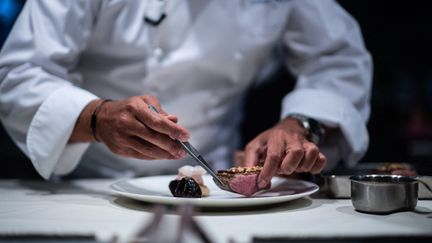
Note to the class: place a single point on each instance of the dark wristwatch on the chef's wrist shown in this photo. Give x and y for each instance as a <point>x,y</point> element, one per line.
<point>314,130</point>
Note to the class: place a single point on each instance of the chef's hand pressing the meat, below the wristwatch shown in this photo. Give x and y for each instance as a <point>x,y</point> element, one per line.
<point>284,150</point>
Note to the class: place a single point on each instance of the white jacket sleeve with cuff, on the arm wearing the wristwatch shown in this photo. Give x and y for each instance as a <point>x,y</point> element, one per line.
<point>326,54</point>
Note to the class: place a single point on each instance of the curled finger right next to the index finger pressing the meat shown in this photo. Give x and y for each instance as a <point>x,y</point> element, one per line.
<point>293,156</point>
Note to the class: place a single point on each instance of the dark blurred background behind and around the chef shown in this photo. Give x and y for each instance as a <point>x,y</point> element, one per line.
<point>399,36</point>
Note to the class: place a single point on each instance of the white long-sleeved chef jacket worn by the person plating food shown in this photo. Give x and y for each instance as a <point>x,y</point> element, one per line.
<point>198,62</point>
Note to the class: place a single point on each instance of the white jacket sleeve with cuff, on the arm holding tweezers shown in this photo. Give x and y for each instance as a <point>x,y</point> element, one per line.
<point>40,94</point>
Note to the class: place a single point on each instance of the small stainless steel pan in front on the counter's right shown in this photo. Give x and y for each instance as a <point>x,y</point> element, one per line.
<point>383,194</point>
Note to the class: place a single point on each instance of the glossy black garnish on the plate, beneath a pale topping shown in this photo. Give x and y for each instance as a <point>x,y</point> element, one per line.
<point>186,187</point>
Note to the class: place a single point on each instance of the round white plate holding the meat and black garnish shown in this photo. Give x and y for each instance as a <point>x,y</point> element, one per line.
<point>155,190</point>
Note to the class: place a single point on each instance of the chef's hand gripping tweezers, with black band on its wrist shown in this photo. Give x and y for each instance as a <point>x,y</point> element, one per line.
<point>130,128</point>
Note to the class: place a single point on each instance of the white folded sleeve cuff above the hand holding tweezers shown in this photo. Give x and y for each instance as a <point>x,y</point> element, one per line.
<point>51,128</point>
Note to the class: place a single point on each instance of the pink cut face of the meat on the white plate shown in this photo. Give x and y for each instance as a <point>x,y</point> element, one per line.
<point>244,184</point>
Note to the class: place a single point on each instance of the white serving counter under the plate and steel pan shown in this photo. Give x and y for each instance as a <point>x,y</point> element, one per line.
<point>89,211</point>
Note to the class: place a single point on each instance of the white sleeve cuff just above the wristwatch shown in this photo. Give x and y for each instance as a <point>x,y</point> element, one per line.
<point>332,110</point>
